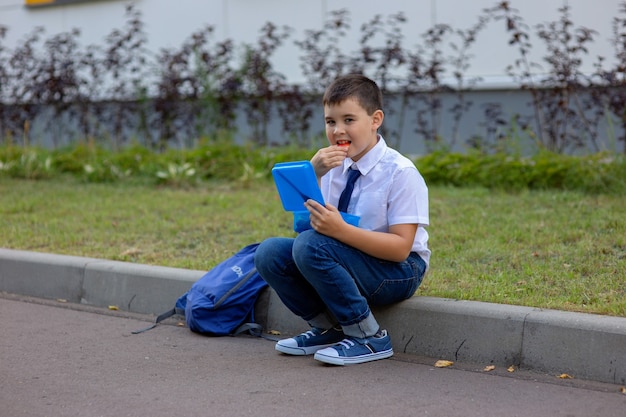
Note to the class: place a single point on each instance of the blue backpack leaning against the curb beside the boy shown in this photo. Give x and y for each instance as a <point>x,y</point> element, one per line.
<point>222,301</point>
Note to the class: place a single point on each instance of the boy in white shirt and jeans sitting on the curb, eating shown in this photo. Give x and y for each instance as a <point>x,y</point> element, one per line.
<point>329,275</point>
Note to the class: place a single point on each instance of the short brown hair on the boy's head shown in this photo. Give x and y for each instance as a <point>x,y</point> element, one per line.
<point>356,86</point>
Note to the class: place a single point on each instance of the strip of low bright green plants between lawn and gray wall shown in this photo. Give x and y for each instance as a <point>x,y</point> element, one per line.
<point>598,173</point>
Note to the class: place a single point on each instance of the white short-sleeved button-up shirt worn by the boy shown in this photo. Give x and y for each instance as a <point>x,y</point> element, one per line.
<point>389,191</point>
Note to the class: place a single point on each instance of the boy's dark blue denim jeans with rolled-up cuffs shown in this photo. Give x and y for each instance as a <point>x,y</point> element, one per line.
<point>327,282</point>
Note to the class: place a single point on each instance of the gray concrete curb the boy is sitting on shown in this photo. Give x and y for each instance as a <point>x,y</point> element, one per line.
<point>585,346</point>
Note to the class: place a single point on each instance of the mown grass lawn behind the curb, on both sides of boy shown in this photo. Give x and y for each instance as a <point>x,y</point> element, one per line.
<point>549,249</point>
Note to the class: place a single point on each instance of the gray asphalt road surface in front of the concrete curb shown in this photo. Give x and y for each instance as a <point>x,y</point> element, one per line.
<point>58,359</point>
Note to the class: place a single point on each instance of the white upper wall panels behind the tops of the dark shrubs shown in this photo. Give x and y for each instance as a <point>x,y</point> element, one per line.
<point>169,22</point>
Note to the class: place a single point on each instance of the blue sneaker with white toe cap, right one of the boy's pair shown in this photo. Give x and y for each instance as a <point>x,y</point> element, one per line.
<point>357,350</point>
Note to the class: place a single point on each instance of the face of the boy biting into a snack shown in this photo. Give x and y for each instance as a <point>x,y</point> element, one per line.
<point>348,124</point>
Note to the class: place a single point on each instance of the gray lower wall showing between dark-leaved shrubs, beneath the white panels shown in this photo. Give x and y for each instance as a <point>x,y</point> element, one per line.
<point>400,127</point>
